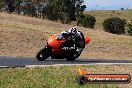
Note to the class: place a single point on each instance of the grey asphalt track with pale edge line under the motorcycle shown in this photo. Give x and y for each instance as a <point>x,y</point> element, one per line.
<point>23,61</point>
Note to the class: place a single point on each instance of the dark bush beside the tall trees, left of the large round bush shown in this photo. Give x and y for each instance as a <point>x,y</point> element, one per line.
<point>88,21</point>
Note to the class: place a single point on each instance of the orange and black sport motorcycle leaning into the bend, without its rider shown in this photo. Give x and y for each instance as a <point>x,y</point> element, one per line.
<point>57,48</point>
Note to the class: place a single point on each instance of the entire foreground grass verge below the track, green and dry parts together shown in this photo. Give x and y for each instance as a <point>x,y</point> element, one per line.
<point>59,76</point>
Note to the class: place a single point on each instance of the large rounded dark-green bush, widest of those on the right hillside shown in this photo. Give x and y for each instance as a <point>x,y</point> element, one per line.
<point>115,25</point>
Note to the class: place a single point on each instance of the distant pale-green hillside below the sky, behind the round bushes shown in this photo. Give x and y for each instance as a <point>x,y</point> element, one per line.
<point>101,15</point>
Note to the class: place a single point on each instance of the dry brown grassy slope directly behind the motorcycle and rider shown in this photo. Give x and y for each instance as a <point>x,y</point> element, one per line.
<point>24,36</point>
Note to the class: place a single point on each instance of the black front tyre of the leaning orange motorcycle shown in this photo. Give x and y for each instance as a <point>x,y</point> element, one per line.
<point>43,54</point>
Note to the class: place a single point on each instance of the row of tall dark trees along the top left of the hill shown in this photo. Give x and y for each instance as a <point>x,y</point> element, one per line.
<point>63,10</point>
